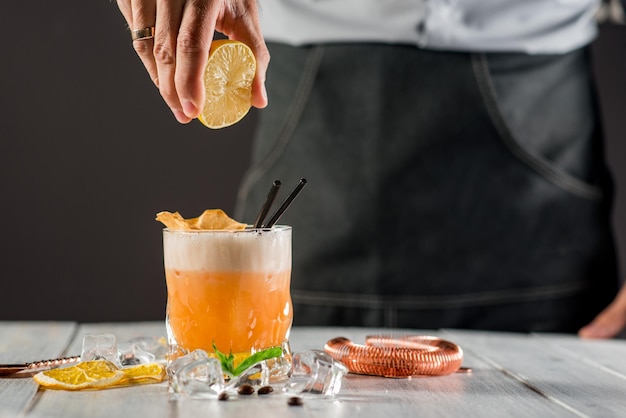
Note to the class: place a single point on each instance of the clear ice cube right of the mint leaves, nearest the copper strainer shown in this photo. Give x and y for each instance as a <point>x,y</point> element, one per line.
<point>315,372</point>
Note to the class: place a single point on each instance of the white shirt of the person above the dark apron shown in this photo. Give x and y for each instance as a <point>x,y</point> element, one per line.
<point>532,26</point>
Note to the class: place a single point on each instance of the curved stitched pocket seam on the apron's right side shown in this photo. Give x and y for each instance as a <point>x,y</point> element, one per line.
<point>536,162</point>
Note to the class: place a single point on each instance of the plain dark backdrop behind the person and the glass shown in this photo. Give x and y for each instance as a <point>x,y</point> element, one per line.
<point>89,154</point>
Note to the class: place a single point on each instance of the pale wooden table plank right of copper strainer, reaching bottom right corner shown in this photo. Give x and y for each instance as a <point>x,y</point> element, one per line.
<point>558,375</point>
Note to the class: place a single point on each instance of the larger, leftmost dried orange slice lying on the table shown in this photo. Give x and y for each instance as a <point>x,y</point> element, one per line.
<point>85,375</point>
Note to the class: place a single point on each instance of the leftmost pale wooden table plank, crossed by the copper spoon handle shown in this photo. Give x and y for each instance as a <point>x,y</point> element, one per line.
<point>25,342</point>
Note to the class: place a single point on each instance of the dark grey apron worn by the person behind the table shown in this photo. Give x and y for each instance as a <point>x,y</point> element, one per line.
<point>445,189</point>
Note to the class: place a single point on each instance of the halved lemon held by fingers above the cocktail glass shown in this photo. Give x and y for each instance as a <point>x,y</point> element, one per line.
<point>228,80</point>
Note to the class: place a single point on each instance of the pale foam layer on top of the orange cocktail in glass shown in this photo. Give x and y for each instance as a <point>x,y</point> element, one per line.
<point>251,251</point>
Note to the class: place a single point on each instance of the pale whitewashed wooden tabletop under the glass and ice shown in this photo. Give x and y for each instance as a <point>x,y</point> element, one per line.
<point>514,375</point>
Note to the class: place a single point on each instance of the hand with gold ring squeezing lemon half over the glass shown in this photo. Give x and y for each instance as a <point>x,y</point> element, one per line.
<point>175,58</point>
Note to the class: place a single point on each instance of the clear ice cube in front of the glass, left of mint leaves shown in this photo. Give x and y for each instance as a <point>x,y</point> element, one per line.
<point>195,376</point>
